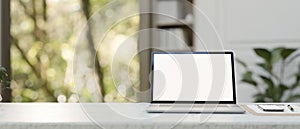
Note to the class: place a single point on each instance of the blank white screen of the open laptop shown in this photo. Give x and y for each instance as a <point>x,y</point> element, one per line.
<point>192,77</point>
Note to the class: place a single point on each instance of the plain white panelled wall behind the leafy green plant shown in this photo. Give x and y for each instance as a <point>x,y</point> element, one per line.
<point>245,24</point>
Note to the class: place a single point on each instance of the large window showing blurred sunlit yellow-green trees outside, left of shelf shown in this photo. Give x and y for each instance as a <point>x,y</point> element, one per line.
<point>50,62</point>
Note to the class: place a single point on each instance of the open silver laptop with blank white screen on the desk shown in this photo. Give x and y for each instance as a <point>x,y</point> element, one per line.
<point>195,82</point>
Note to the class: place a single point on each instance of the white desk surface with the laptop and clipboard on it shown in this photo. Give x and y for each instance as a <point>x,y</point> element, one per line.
<point>127,116</point>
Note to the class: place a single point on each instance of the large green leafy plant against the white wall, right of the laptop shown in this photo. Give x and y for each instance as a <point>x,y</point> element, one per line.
<point>274,83</point>
